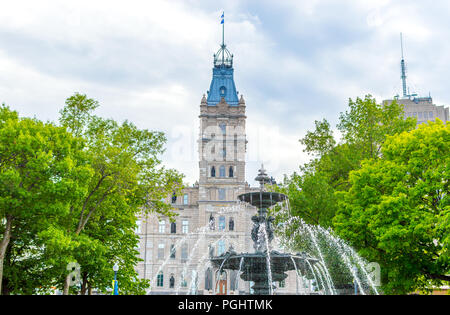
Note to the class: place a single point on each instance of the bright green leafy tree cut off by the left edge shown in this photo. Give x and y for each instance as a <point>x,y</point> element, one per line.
<point>38,181</point>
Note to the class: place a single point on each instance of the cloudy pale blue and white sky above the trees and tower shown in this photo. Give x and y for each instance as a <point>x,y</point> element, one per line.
<point>150,62</point>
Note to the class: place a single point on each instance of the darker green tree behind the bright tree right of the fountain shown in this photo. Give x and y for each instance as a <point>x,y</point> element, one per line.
<point>364,127</point>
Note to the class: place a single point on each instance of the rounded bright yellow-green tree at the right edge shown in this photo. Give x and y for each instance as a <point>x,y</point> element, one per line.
<point>397,210</point>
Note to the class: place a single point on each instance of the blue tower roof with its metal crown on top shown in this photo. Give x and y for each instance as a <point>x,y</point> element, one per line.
<point>222,84</point>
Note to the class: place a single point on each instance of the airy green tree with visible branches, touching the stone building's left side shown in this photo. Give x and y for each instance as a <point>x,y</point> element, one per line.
<point>127,180</point>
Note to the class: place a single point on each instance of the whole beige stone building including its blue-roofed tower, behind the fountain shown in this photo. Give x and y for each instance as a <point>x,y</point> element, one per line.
<point>210,219</point>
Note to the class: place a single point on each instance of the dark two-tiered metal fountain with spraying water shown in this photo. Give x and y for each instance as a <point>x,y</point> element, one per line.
<point>264,266</point>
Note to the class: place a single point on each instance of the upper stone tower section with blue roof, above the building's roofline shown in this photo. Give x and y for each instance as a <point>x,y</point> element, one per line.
<point>222,139</point>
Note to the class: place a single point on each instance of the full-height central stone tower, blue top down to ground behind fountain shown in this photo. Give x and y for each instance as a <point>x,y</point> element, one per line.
<point>222,147</point>
